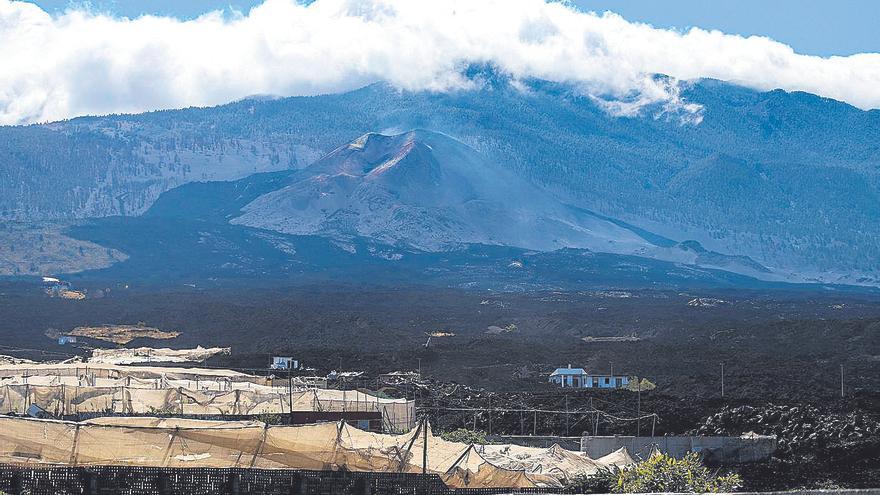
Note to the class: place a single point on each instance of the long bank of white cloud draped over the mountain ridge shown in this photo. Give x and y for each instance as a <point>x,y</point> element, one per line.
<point>54,67</point>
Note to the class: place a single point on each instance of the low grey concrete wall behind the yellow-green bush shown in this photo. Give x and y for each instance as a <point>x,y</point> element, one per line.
<point>717,450</point>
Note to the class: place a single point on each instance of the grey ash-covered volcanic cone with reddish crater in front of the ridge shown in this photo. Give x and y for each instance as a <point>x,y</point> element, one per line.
<point>428,191</point>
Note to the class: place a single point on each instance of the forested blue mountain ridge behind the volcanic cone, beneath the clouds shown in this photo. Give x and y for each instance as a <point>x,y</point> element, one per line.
<point>804,199</point>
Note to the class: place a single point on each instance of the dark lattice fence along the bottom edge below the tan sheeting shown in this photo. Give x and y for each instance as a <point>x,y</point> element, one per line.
<point>132,480</point>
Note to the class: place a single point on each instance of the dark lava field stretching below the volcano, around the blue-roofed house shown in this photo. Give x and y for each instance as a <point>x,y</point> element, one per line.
<point>782,354</point>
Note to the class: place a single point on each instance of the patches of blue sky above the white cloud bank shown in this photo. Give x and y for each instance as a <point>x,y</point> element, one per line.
<point>813,27</point>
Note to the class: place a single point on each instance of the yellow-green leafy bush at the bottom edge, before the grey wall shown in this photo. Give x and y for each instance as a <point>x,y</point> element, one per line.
<point>663,473</point>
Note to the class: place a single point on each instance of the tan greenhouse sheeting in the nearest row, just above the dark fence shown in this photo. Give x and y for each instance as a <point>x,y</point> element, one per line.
<point>195,443</point>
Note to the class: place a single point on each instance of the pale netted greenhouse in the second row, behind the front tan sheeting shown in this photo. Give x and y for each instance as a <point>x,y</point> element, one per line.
<point>82,388</point>
